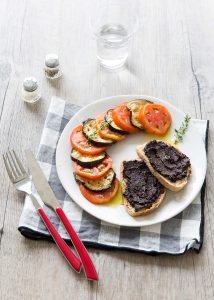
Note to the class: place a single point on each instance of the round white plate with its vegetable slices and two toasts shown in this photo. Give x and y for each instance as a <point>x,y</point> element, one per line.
<point>131,160</point>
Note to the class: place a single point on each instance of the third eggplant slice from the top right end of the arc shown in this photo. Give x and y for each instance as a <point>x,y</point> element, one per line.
<point>90,131</point>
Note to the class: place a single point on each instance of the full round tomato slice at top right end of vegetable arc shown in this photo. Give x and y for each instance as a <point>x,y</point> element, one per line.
<point>155,118</point>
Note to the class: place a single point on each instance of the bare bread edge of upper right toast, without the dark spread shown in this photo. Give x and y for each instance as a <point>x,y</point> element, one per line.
<point>173,186</point>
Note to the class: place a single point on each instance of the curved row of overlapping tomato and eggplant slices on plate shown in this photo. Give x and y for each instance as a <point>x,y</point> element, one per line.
<point>92,166</point>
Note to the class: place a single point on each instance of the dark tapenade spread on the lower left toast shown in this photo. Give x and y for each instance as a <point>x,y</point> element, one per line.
<point>142,188</point>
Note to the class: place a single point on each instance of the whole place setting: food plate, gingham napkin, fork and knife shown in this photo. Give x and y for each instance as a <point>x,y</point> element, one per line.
<point>124,172</point>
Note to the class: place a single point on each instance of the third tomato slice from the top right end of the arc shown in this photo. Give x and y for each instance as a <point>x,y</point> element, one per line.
<point>105,132</point>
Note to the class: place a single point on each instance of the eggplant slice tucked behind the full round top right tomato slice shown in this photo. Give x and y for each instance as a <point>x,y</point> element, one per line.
<point>134,108</point>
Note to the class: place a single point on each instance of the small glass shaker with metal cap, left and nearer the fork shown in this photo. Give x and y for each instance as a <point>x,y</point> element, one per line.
<point>30,91</point>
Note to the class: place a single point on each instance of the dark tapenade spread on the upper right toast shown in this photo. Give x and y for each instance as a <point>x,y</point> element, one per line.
<point>167,160</point>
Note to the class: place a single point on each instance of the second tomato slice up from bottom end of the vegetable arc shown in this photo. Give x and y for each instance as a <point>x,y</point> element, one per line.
<point>95,172</point>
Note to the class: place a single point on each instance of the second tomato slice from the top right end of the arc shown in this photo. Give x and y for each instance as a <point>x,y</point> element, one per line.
<point>121,116</point>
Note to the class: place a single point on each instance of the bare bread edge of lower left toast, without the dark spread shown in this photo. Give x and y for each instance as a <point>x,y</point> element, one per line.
<point>130,208</point>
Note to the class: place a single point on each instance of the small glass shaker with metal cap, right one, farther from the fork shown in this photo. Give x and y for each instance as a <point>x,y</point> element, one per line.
<point>52,70</point>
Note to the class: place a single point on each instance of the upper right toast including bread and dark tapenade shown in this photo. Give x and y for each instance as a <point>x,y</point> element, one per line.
<point>168,164</point>
